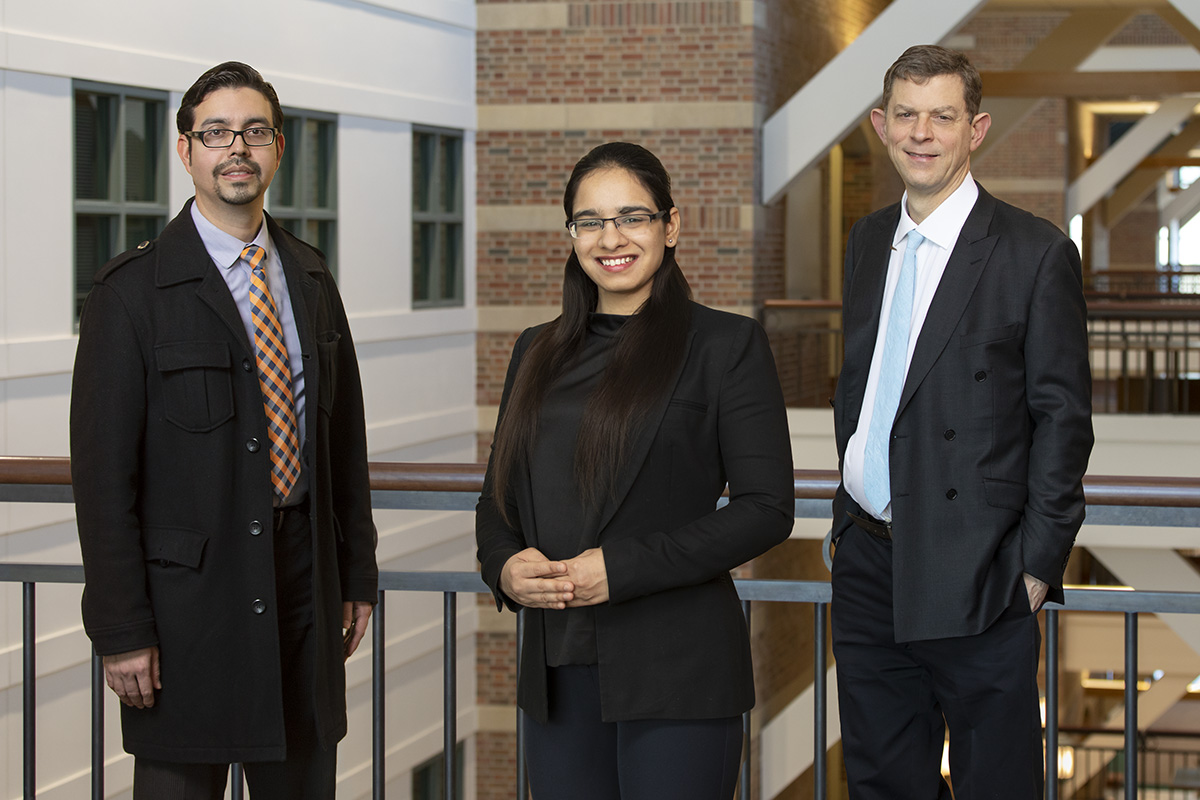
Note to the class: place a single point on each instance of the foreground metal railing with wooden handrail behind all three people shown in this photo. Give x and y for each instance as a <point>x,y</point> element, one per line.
<point>1153,502</point>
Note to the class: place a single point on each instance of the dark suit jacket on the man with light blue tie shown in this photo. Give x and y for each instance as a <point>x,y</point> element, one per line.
<point>992,438</point>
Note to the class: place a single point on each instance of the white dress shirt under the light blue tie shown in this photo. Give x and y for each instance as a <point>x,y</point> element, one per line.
<point>941,232</point>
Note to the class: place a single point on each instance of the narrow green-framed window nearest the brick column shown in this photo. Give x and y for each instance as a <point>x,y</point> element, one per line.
<point>437,219</point>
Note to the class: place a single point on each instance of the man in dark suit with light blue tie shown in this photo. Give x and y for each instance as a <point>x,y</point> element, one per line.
<point>963,420</point>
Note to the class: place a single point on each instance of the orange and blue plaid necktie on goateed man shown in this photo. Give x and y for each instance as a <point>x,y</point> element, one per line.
<point>274,378</point>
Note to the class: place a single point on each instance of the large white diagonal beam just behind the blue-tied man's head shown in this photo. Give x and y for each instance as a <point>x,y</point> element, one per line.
<point>837,99</point>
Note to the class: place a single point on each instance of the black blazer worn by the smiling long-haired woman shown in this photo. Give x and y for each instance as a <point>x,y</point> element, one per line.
<point>673,641</point>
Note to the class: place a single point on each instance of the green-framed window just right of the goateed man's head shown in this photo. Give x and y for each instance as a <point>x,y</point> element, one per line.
<point>304,195</point>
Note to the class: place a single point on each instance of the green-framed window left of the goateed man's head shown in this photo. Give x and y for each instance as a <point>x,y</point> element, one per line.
<point>121,175</point>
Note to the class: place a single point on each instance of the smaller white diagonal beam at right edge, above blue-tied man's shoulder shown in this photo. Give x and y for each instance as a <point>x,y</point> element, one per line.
<point>1124,158</point>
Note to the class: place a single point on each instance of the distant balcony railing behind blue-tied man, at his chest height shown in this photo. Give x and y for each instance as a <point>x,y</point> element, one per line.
<point>1145,356</point>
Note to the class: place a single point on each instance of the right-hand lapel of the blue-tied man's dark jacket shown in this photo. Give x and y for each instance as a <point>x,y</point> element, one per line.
<point>959,281</point>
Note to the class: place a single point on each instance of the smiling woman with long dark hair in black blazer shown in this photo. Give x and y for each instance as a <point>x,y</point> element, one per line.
<point>621,424</point>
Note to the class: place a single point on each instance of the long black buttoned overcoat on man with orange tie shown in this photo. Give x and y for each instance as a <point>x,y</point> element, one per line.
<point>173,495</point>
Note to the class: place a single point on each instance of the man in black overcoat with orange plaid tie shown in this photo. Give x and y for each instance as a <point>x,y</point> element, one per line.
<point>219,460</point>
